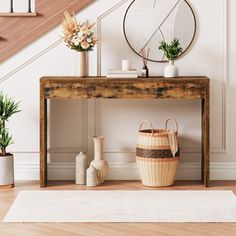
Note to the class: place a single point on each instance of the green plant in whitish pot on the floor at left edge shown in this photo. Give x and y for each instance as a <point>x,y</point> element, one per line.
<point>8,107</point>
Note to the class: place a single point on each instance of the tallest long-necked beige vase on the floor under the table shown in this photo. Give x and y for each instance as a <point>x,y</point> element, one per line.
<point>98,163</point>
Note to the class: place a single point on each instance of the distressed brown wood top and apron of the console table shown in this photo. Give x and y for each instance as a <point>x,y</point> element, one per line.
<point>101,87</point>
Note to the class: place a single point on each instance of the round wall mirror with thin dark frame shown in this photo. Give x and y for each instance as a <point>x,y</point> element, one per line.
<point>148,22</point>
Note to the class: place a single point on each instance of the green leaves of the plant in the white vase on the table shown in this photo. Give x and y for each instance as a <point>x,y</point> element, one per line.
<point>171,50</point>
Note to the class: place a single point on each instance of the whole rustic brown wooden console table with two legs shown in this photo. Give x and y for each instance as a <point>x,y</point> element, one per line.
<point>101,87</point>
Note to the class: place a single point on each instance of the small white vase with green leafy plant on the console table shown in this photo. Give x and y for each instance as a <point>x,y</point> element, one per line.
<point>171,52</point>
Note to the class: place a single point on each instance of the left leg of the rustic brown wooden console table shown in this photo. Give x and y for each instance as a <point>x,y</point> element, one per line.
<point>43,138</point>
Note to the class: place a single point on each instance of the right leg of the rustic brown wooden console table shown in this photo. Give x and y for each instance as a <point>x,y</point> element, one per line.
<point>206,139</point>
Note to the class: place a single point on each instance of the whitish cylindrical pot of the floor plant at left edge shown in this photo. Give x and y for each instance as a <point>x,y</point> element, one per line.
<point>7,171</point>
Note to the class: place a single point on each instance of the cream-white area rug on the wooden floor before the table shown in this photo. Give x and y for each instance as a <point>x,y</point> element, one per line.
<point>123,206</point>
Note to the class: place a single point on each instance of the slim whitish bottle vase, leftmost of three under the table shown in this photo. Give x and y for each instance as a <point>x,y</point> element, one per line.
<point>81,165</point>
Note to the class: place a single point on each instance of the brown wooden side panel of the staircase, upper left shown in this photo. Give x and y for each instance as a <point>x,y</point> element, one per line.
<point>18,32</point>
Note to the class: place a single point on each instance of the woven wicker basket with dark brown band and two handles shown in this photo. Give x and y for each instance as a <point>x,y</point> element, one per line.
<point>157,155</point>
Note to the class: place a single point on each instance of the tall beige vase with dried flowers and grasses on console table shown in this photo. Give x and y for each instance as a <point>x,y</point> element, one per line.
<point>81,38</point>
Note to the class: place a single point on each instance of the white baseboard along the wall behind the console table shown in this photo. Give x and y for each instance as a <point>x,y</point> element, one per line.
<point>128,171</point>
